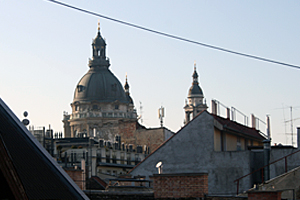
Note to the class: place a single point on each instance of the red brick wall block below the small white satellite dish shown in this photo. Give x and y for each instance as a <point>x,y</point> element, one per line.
<point>180,185</point>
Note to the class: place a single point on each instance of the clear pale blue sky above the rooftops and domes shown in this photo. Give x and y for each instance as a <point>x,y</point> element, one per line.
<point>44,51</point>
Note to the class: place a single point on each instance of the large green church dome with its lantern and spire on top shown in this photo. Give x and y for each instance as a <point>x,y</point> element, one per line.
<point>99,83</point>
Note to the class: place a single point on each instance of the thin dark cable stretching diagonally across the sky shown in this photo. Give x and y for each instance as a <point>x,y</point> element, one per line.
<point>177,37</point>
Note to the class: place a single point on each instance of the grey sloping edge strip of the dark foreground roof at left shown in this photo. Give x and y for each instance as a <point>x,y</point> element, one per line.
<point>41,149</point>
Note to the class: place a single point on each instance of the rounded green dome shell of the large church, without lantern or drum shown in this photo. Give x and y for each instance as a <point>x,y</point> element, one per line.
<point>99,84</point>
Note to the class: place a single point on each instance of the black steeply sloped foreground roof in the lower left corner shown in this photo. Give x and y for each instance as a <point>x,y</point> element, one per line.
<point>40,175</point>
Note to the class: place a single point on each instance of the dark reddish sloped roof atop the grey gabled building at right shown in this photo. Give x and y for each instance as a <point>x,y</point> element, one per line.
<point>238,128</point>
